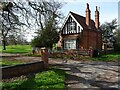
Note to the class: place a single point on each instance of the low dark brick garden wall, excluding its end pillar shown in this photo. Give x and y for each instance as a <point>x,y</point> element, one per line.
<point>22,69</point>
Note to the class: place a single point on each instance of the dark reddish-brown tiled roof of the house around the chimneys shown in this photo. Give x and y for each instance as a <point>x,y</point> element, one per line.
<point>81,20</point>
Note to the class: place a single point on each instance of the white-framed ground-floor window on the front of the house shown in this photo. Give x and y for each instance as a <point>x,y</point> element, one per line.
<point>70,44</point>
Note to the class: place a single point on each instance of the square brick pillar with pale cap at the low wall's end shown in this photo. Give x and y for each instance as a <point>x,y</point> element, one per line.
<point>44,56</point>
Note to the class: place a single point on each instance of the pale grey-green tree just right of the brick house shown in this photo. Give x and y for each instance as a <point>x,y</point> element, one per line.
<point>108,35</point>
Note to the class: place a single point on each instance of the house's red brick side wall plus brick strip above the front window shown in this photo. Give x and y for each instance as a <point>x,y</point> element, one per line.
<point>87,39</point>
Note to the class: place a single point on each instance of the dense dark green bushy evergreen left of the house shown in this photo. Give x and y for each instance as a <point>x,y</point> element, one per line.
<point>47,37</point>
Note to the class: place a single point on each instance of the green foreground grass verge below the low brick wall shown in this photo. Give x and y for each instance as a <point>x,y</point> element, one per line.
<point>50,79</point>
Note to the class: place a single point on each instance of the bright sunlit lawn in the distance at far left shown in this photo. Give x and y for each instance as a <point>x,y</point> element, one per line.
<point>16,49</point>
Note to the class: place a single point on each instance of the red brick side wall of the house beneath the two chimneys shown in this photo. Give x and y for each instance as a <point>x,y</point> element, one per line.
<point>89,39</point>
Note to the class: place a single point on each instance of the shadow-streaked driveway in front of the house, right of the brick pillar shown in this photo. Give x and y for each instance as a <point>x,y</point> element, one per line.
<point>89,74</point>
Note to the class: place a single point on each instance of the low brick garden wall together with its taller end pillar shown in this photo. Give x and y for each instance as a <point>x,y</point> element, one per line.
<point>28,68</point>
